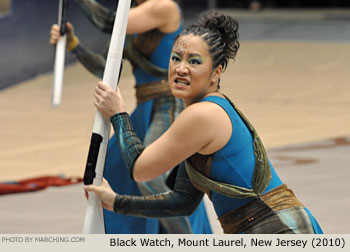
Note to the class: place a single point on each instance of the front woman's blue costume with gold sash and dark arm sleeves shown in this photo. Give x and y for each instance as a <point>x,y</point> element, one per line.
<point>247,194</point>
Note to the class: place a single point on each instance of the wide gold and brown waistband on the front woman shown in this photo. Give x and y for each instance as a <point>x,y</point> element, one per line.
<point>245,216</point>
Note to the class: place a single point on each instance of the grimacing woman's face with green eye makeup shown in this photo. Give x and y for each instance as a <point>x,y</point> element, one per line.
<point>191,76</point>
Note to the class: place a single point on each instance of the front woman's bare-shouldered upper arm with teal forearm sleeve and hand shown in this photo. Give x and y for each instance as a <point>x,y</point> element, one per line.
<point>193,131</point>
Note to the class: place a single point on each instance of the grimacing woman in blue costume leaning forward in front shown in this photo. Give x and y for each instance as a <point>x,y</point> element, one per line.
<point>218,150</point>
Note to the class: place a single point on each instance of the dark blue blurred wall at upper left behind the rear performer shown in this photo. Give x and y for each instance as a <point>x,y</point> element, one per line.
<point>25,51</point>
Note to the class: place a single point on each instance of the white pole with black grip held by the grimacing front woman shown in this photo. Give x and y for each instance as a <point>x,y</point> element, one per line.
<point>94,222</point>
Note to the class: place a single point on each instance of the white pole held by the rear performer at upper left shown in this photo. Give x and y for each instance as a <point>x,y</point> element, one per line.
<point>60,54</point>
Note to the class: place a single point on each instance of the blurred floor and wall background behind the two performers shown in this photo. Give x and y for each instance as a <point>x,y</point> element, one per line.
<point>290,78</point>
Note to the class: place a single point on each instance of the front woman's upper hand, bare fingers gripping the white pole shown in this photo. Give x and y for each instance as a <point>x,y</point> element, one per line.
<point>108,101</point>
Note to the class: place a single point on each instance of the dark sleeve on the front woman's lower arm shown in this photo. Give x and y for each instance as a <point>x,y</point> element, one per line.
<point>181,201</point>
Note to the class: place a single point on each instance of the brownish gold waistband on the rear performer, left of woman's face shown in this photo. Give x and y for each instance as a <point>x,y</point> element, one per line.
<point>152,90</point>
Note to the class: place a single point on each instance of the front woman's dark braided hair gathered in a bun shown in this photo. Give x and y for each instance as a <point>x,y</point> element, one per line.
<point>220,32</point>
